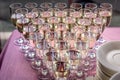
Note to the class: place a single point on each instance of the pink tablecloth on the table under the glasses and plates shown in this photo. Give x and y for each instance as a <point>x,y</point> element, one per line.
<point>15,67</point>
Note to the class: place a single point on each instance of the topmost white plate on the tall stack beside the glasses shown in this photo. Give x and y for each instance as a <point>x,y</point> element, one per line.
<point>108,55</point>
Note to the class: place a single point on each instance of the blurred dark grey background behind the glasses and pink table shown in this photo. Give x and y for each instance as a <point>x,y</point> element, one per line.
<point>6,27</point>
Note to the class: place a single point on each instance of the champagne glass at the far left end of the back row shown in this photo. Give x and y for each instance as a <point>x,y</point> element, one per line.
<point>13,14</point>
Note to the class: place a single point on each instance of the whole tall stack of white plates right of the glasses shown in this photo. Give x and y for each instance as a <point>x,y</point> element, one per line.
<point>108,58</point>
